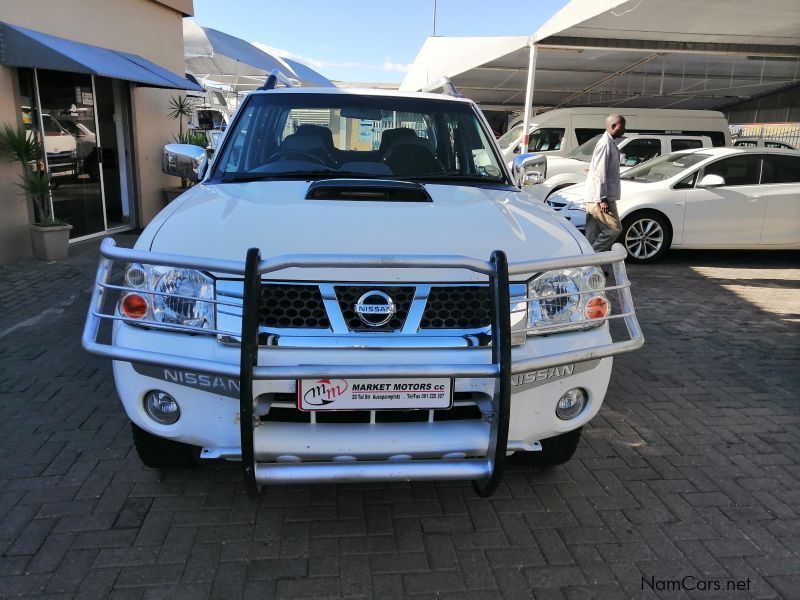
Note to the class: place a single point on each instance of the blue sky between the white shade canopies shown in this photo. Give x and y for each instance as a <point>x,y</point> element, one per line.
<point>365,41</point>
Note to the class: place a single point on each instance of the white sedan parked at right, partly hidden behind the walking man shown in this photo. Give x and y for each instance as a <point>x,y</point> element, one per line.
<point>738,198</point>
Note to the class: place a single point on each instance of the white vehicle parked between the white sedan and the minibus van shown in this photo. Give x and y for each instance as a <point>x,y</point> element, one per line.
<point>558,172</point>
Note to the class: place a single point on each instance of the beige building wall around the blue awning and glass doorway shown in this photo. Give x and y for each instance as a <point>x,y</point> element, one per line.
<point>149,28</point>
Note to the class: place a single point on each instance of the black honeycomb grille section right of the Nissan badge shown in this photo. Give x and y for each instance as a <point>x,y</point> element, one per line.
<point>457,307</point>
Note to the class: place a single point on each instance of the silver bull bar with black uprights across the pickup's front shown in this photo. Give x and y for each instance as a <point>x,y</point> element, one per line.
<point>485,472</point>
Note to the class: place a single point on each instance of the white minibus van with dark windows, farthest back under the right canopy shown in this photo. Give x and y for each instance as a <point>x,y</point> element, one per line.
<point>562,130</point>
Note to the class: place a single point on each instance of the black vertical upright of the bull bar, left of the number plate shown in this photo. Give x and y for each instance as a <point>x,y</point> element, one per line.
<point>249,359</point>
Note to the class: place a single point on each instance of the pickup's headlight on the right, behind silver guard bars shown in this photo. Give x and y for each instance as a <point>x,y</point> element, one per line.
<point>567,300</point>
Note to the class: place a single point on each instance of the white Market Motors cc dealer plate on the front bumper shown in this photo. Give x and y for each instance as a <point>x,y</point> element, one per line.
<point>374,394</point>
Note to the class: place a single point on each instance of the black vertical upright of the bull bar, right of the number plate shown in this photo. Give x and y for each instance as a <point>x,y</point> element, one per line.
<point>501,356</point>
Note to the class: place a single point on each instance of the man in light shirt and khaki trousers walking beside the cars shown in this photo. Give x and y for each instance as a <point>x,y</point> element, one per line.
<point>602,188</point>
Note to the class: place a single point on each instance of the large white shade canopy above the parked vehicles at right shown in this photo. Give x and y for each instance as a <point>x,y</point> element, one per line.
<point>627,53</point>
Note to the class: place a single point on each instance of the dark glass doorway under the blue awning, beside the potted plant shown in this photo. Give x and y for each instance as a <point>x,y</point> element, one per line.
<point>82,120</point>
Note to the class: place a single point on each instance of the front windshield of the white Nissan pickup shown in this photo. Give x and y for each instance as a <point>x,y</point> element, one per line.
<point>302,136</point>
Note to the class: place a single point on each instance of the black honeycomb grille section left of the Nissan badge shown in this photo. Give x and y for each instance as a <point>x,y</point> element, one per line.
<point>292,306</point>
